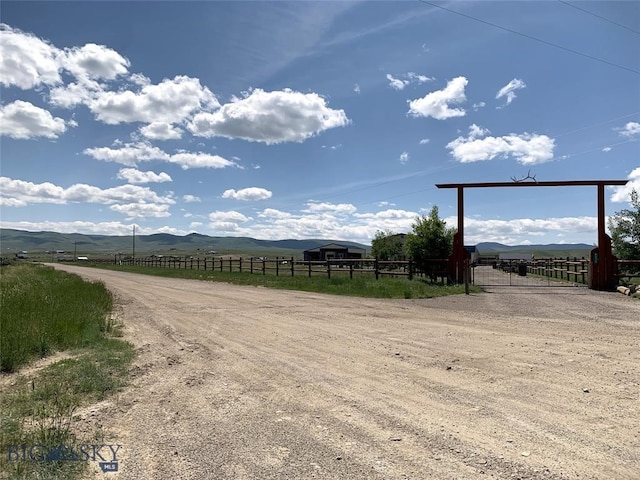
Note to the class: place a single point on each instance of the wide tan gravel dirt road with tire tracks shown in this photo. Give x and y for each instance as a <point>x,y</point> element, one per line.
<point>251,383</point>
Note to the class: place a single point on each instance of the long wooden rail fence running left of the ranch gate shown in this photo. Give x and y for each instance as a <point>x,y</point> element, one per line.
<point>437,269</point>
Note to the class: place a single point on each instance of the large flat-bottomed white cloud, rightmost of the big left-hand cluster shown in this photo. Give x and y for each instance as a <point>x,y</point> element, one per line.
<point>270,117</point>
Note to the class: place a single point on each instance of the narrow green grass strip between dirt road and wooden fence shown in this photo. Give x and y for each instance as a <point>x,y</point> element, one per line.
<point>362,285</point>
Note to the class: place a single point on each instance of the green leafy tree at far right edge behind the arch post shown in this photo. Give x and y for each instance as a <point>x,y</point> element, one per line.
<point>625,230</point>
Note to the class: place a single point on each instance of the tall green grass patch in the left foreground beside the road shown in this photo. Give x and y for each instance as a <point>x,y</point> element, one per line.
<point>46,312</point>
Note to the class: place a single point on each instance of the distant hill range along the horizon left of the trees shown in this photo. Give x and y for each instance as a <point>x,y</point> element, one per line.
<point>13,241</point>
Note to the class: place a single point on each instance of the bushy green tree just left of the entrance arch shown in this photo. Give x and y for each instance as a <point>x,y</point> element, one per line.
<point>430,239</point>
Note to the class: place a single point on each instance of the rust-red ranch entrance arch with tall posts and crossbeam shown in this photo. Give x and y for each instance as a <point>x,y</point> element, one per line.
<point>602,265</point>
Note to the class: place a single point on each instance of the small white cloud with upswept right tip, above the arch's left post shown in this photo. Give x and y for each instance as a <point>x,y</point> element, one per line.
<point>437,104</point>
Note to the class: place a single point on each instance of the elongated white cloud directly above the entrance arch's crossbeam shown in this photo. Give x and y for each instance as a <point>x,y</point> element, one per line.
<point>526,148</point>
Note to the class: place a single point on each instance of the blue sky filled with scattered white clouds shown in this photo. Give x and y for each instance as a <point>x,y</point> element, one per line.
<point>327,120</point>
